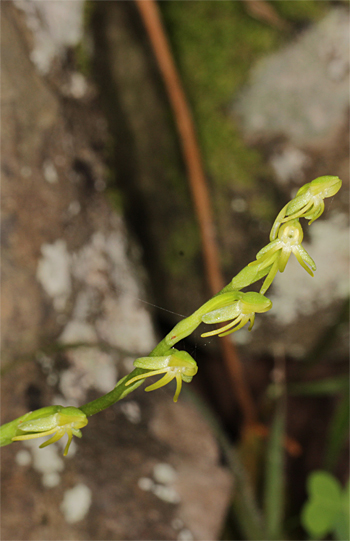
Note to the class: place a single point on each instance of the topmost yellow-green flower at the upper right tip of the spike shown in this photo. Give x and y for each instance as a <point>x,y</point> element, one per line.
<point>308,202</point>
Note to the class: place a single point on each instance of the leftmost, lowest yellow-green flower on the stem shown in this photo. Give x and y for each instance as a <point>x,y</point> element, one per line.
<point>56,420</point>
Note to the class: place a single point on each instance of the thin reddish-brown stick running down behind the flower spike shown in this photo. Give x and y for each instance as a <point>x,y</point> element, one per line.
<point>150,14</point>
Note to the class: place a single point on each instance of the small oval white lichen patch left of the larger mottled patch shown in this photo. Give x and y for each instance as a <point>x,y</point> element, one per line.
<point>53,272</point>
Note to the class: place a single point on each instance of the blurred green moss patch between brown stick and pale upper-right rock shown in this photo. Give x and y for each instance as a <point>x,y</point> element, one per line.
<point>215,43</point>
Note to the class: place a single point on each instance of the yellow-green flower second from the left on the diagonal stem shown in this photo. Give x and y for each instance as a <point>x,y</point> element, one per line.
<point>178,365</point>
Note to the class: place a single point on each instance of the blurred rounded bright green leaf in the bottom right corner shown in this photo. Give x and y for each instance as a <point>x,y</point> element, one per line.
<point>327,509</point>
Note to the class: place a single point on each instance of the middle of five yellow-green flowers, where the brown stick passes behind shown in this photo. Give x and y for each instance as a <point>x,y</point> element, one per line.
<point>240,312</point>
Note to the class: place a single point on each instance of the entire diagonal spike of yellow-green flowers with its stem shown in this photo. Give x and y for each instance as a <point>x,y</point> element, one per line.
<point>230,305</point>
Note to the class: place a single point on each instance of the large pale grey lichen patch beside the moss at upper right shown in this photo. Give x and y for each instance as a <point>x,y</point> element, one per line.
<point>301,91</point>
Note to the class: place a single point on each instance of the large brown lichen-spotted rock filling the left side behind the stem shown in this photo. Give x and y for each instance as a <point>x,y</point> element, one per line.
<point>75,315</point>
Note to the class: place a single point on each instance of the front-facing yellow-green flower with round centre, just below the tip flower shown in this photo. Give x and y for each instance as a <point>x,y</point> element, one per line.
<point>276,254</point>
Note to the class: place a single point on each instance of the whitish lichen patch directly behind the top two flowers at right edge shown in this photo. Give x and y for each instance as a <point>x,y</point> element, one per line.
<point>294,292</point>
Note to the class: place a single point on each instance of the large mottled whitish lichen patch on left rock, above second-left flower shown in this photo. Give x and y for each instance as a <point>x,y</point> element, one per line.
<point>103,266</point>
